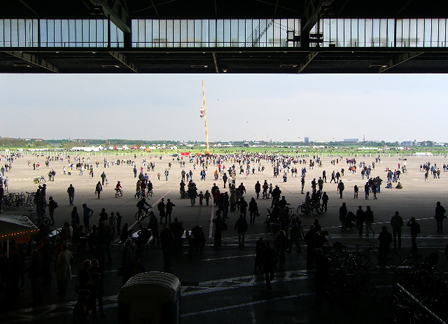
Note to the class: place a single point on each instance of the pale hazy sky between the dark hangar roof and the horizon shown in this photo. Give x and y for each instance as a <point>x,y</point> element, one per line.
<point>246,107</point>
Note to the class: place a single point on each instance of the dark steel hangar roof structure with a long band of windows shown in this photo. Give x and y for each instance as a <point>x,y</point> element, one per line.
<point>223,36</point>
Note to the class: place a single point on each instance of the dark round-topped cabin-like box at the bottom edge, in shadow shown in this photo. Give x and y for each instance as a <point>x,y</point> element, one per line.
<point>150,298</point>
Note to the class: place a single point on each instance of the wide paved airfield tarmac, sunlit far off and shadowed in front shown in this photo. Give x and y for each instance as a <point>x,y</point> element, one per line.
<point>220,285</point>
